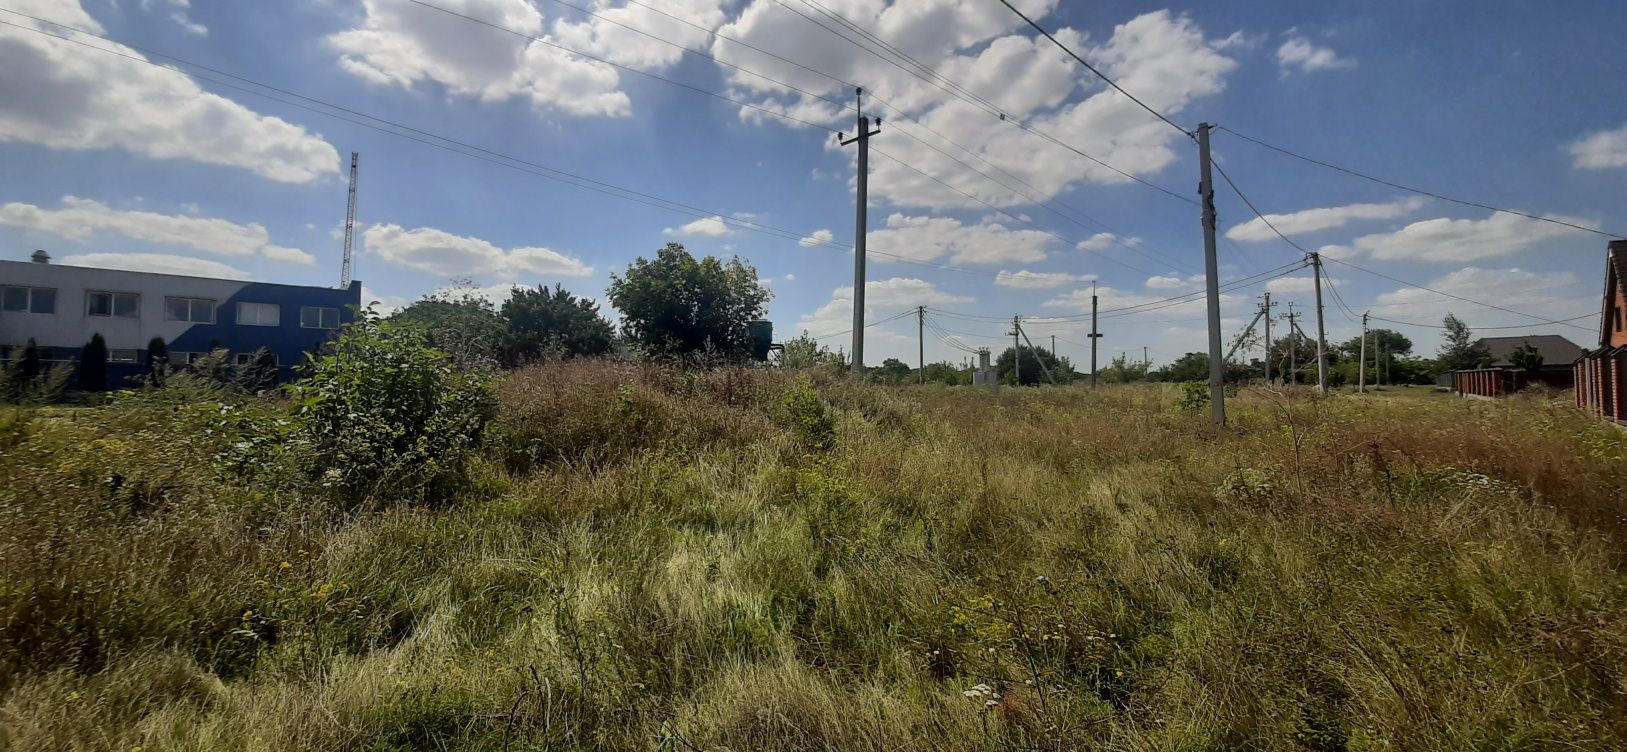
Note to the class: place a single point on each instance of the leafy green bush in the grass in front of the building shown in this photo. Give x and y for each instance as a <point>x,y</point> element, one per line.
<point>385,411</point>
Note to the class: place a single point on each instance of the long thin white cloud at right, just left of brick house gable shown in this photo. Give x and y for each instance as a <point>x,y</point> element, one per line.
<point>1446,240</point>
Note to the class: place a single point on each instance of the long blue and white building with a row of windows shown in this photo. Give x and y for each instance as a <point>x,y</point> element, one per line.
<point>61,308</point>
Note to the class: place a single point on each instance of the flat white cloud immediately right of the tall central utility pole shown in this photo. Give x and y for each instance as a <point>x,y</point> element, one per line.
<point>928,238</point>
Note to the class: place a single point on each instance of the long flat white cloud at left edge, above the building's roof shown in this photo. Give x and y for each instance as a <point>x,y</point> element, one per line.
<point>81,219</point>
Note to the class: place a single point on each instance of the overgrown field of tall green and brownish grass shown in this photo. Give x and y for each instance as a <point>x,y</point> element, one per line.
<point>746,561</point>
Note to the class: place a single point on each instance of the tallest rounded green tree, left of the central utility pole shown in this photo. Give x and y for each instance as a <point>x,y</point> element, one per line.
<point>674,305</point>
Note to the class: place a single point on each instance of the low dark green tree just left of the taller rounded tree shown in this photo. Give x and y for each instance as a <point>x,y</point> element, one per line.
<point>544,321</point>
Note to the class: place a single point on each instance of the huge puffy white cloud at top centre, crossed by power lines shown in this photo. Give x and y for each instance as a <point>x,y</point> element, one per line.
<point>1162,58</point>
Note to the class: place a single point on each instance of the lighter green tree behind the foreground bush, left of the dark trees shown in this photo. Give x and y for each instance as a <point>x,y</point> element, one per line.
<point>463,323</point>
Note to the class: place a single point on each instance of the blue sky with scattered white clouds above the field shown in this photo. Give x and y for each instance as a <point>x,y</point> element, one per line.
<point>539,142</point>
